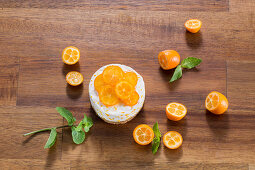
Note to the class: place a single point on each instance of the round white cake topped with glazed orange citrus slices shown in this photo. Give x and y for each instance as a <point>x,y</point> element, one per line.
<point>117,93</point>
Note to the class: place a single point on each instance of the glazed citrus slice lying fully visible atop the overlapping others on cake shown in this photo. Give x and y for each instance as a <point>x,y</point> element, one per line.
<point>124,90</point>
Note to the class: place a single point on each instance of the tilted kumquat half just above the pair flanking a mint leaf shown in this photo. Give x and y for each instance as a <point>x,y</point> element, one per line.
<point>175,111</point>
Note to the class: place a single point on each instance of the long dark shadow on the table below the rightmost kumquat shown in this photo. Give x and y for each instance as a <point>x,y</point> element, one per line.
<point>219,125</point>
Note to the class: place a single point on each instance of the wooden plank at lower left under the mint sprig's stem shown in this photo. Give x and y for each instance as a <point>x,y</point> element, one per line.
<point>17,121</point>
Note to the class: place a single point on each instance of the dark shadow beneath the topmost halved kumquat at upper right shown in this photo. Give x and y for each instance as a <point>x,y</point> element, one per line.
<point>193,40</point>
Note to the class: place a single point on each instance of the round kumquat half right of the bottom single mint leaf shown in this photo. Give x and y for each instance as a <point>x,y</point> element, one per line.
<point>172,140</point>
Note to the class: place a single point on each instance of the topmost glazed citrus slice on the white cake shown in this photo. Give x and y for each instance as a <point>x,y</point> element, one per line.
<point>112,75</point>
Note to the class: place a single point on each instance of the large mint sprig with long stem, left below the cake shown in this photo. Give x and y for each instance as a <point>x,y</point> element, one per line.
<point>78,134</point>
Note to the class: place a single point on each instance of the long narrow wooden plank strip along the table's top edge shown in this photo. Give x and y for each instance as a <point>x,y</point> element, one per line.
<point>163,5</point>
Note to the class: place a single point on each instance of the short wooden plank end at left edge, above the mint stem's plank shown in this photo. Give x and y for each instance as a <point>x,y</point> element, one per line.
<point>9,75</point>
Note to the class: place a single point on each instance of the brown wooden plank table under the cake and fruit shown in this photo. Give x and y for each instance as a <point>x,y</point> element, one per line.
<point>32,81</point>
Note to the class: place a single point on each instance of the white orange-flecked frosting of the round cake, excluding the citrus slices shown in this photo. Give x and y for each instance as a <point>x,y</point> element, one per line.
<point>119,113</point>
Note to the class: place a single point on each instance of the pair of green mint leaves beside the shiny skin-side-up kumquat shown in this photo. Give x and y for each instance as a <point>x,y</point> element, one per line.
<point>188,63</point>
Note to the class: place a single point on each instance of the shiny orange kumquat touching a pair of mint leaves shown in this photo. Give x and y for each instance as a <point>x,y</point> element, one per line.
<point>168,59</point>
